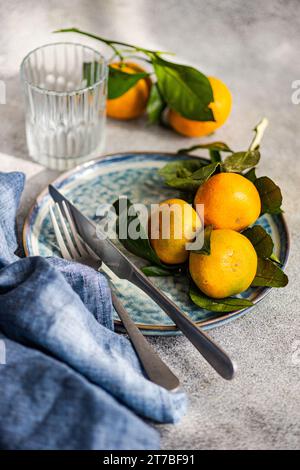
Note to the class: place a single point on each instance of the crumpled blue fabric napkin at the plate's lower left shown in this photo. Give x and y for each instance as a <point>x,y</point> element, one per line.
<point>69,381</point>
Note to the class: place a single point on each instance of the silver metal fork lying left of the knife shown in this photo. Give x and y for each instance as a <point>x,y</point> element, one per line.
<point>74,249</point>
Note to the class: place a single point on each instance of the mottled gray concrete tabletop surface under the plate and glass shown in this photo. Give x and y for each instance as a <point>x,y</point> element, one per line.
<point>254,48</point>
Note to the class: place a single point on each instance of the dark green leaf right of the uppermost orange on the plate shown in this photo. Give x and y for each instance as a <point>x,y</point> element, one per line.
<point>270,195</point>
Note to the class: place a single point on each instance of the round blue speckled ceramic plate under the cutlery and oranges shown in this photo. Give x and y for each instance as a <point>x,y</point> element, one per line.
<point>135,175</point>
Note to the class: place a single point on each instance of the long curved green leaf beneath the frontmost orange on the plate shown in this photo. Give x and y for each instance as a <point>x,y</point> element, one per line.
<point>230,304</point>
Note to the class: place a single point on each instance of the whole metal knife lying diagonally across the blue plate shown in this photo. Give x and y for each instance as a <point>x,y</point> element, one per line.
<point>125,269</point>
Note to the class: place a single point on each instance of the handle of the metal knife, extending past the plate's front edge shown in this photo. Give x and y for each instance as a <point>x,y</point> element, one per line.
<point>213,354</point>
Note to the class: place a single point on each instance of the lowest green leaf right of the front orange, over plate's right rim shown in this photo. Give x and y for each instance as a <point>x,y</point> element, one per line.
<point>269,275</point>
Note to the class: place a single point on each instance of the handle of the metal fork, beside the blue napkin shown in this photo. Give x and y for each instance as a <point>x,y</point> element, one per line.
<point>157,371</point>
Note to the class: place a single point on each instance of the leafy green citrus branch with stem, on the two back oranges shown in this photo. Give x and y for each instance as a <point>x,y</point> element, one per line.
<point>180,87</point>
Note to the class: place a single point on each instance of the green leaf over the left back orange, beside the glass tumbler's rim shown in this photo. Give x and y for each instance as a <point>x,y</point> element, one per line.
<point>119,82</point>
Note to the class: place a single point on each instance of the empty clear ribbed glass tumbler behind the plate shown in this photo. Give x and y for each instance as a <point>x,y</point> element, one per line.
<point>65,87</point>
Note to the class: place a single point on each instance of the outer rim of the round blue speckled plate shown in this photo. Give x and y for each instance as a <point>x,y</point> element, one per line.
<point>148,329</point>
